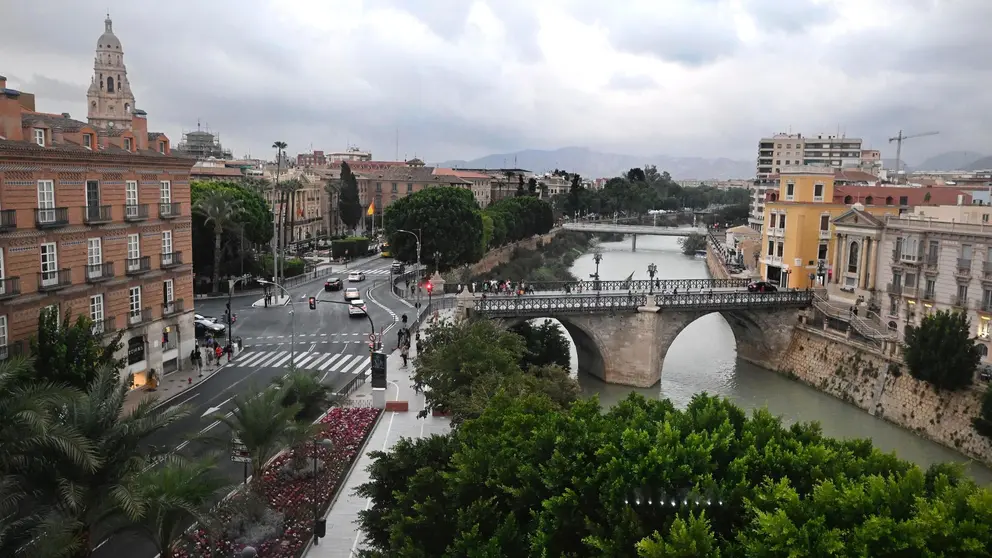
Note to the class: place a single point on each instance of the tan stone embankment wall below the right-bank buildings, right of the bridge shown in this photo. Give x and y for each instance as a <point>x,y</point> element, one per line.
<point>881,386</point>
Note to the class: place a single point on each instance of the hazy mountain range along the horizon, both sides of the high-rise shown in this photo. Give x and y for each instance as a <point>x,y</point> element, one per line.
<point>596,164</point>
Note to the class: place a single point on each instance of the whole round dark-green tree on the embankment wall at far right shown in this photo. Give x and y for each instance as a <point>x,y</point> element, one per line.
<point>942,351</point>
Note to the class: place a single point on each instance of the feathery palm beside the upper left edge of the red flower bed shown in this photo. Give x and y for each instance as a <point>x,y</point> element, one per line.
<point>264,426</point>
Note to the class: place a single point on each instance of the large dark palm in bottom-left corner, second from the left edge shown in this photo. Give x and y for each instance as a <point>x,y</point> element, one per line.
<point>77,507</point>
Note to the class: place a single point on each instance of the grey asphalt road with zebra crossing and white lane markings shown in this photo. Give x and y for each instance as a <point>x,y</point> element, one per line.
<point>328,340</point>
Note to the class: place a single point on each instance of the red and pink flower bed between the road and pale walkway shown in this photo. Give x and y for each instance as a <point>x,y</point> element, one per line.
<point>347,429</point>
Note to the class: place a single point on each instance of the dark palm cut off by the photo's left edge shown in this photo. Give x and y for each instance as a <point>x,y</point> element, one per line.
<point>28,431</point>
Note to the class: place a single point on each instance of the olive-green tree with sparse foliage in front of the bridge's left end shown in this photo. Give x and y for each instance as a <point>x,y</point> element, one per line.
<point>462,366</point>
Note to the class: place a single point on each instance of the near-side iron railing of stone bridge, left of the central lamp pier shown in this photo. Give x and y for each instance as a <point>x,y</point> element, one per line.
<point>551,305</point>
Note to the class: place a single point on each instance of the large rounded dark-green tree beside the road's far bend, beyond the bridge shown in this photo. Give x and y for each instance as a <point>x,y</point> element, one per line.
<point>446,218</point>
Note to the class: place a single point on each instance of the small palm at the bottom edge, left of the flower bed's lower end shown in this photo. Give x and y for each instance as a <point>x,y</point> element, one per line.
<point>175,495</point>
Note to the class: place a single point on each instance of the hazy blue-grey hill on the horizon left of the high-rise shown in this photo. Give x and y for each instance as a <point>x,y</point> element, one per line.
<point>595,164</point>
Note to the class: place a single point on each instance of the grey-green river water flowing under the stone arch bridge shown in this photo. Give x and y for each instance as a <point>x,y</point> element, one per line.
<point>704,358</point>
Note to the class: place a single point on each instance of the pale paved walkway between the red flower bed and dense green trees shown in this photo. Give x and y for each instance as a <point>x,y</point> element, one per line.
<point>343,538</point>
